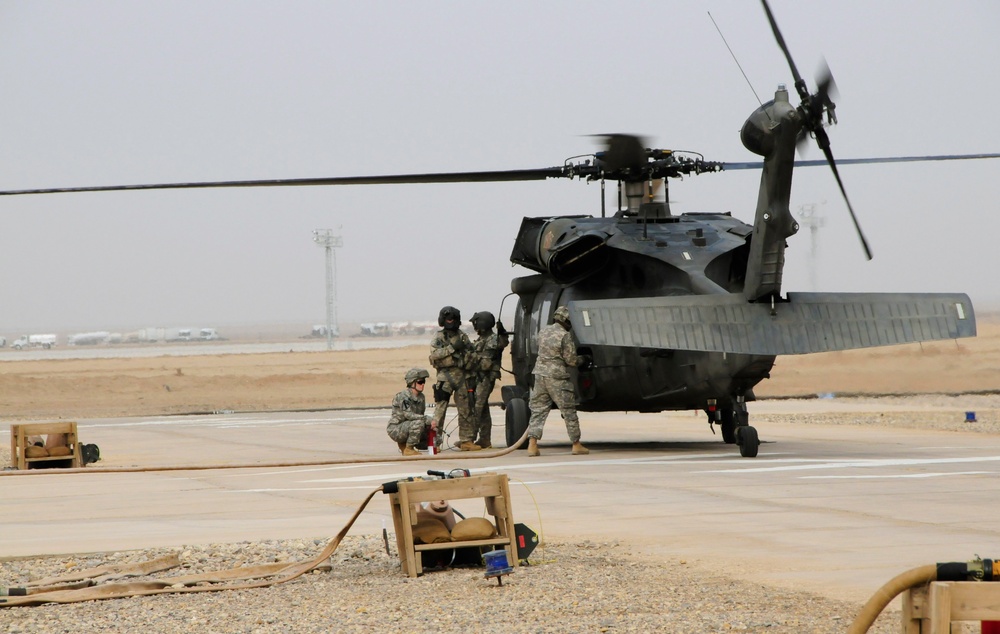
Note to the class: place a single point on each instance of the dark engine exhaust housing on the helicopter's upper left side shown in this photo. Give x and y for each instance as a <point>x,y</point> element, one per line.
<point>560,248</point>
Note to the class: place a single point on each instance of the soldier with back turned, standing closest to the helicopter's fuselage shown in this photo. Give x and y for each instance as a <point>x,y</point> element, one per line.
<point>556,354</point>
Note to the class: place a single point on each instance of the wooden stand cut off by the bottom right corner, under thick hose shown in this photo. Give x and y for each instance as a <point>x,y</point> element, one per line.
<point>931,609</point>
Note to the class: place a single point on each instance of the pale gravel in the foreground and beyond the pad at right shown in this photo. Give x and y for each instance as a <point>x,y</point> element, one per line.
<point>568,587</point>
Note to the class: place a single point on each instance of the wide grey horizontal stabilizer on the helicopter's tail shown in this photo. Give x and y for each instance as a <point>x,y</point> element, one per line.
<point>804,323</point>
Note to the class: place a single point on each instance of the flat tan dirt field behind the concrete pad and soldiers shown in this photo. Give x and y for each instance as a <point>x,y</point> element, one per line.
<point>88,388</point>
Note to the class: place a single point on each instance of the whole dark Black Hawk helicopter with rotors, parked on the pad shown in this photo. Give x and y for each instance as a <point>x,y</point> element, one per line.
<point>681,312</point>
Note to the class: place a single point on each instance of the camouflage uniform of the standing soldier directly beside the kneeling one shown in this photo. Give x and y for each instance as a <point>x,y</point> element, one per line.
<point>451,377</point>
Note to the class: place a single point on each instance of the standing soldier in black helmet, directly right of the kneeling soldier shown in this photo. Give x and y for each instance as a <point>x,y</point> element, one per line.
<point>450,350</point>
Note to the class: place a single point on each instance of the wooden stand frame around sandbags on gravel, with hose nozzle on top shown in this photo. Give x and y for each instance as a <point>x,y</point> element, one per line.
<point>491,486</point>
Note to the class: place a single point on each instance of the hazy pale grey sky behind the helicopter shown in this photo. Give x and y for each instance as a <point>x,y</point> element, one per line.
<point>103,92</point>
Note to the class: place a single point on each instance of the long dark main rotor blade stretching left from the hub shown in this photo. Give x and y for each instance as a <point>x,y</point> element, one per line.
<point>389,179</point>
